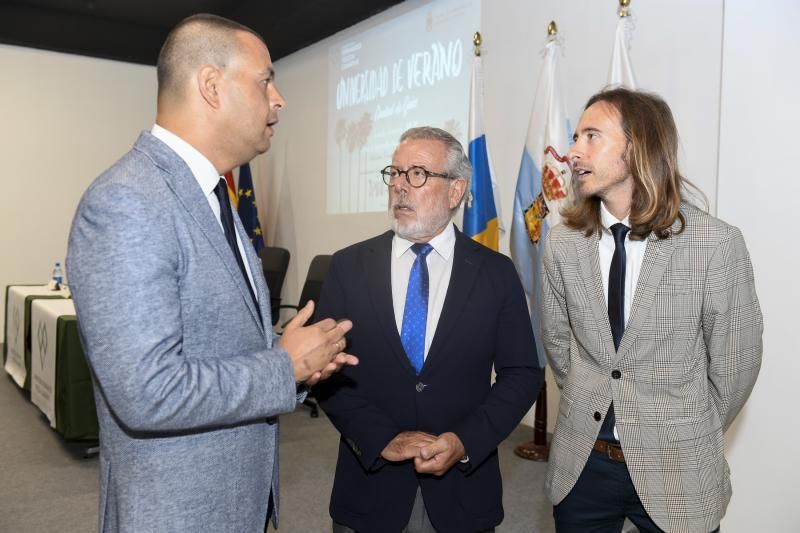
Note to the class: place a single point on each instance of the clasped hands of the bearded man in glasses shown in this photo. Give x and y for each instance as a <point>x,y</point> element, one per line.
<point>431,454</point>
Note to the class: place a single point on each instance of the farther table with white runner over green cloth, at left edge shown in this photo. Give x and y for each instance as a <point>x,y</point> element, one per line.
<point>17,347</point>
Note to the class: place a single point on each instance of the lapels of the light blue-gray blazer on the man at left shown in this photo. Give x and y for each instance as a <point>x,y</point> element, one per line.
<point>183,184</point>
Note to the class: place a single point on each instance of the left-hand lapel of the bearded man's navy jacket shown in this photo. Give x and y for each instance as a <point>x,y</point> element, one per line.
<point>376,263</point>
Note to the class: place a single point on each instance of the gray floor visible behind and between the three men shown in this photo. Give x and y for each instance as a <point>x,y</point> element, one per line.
<point>46,485</point>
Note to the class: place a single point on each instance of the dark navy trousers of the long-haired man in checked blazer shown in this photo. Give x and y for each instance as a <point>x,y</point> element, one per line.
<point>601,499</point>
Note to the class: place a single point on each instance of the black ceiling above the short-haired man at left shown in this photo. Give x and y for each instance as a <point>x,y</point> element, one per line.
<point>133,30</point>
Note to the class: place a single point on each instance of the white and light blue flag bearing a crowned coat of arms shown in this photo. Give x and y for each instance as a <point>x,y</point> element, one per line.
<point>542,183</point>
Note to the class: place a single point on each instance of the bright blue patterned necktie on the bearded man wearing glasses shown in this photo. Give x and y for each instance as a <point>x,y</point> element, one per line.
<point>415,314</point>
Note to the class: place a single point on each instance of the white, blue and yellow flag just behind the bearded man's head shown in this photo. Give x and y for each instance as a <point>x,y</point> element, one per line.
<point>481,217</point>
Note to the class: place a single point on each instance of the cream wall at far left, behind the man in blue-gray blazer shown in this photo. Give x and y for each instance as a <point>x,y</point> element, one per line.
<point>65,119</point>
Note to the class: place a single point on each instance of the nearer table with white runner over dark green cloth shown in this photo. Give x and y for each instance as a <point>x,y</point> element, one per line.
<point>61,385</point>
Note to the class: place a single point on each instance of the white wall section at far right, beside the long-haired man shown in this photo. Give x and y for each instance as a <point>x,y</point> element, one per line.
<point>759,191</point>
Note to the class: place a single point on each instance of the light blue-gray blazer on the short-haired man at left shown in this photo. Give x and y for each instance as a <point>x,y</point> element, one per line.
<point>187,382</point>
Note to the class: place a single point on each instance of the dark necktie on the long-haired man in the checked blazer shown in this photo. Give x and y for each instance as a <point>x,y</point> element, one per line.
<point>616,311</point>
